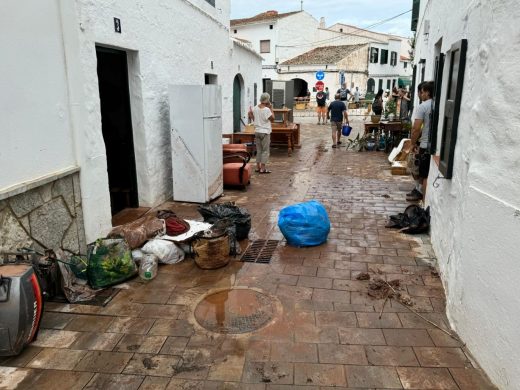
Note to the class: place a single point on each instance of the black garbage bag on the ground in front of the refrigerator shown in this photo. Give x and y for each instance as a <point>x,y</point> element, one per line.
<point>241,218</point>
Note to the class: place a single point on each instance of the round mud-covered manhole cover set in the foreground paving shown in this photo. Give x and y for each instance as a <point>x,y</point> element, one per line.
<point>234,311</point>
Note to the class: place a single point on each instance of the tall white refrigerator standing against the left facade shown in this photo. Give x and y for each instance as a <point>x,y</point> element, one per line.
<point>196,139</point>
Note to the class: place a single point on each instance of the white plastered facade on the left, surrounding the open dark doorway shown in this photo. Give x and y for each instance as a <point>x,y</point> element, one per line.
<point>56,119</point>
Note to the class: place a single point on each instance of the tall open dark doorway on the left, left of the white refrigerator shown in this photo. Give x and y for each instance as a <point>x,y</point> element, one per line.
<point>116,122</point>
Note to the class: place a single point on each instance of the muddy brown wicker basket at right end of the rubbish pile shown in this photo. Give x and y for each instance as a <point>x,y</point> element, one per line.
<point>211,252</point>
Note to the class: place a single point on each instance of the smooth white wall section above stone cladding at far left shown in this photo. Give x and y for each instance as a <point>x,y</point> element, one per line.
<point>35,125</point>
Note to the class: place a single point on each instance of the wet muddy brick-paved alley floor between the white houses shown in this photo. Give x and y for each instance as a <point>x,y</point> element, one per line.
<point>323,329</point>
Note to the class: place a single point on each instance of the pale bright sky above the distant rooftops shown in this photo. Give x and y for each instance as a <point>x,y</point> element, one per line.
<point>360,13</point>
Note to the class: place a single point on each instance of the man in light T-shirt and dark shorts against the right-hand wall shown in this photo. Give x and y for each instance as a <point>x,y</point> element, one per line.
<point>420,135</point>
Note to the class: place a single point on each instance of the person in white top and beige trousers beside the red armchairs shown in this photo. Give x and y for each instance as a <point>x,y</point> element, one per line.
<point>262,115</point>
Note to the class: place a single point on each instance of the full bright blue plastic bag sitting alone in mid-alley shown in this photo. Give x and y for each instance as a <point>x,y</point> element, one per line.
<point>304,224</point>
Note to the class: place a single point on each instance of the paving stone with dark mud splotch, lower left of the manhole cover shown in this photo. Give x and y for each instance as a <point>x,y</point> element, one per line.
<point>154,365</point>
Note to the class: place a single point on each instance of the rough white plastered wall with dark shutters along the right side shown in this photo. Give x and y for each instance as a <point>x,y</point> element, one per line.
<point>476,215</point>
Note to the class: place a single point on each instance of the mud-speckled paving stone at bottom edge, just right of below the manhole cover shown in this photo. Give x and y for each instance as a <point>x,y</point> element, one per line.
<point>268,372</point>
